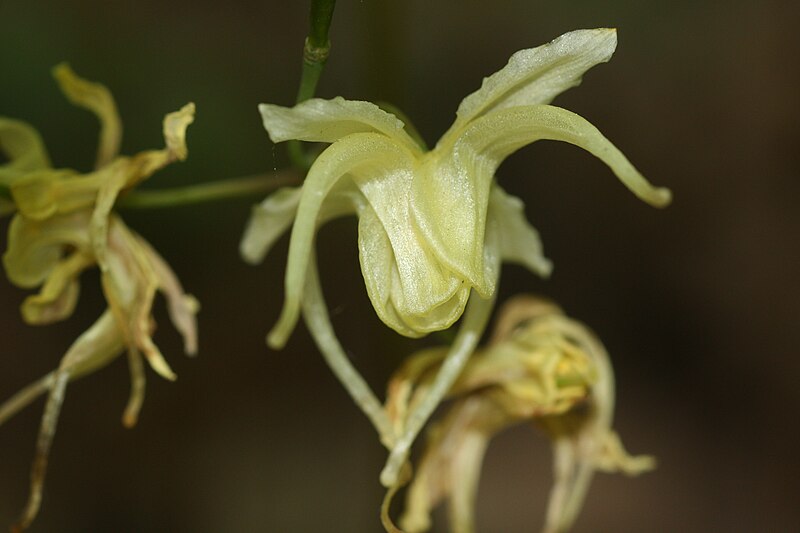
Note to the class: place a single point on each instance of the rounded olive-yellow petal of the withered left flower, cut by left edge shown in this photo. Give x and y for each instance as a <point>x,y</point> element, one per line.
<point>24,148</point>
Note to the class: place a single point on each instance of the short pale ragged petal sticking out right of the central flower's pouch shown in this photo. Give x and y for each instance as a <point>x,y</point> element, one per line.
<point>519,242</point>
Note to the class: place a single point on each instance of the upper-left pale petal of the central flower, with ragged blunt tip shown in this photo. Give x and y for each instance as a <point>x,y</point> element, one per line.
<point>319,120</point>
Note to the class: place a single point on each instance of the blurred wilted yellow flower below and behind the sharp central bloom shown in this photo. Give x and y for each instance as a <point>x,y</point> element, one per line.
<point>540,366</point>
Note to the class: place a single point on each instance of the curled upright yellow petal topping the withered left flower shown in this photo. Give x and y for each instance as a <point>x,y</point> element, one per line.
<point>96,98</point>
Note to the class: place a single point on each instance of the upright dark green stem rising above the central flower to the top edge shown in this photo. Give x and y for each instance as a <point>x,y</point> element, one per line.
<point>315,53</point>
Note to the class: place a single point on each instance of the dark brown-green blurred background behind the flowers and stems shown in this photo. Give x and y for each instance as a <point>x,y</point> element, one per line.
<point>697,303</point>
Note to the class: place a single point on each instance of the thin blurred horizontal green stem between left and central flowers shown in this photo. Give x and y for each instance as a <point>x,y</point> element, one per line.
<point>206,192</point>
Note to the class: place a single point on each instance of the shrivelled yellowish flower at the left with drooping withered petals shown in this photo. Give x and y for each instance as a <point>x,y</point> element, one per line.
<point>64,224</point>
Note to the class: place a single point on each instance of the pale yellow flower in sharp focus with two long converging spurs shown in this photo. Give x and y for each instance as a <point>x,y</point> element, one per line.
<point>434,226</point>
